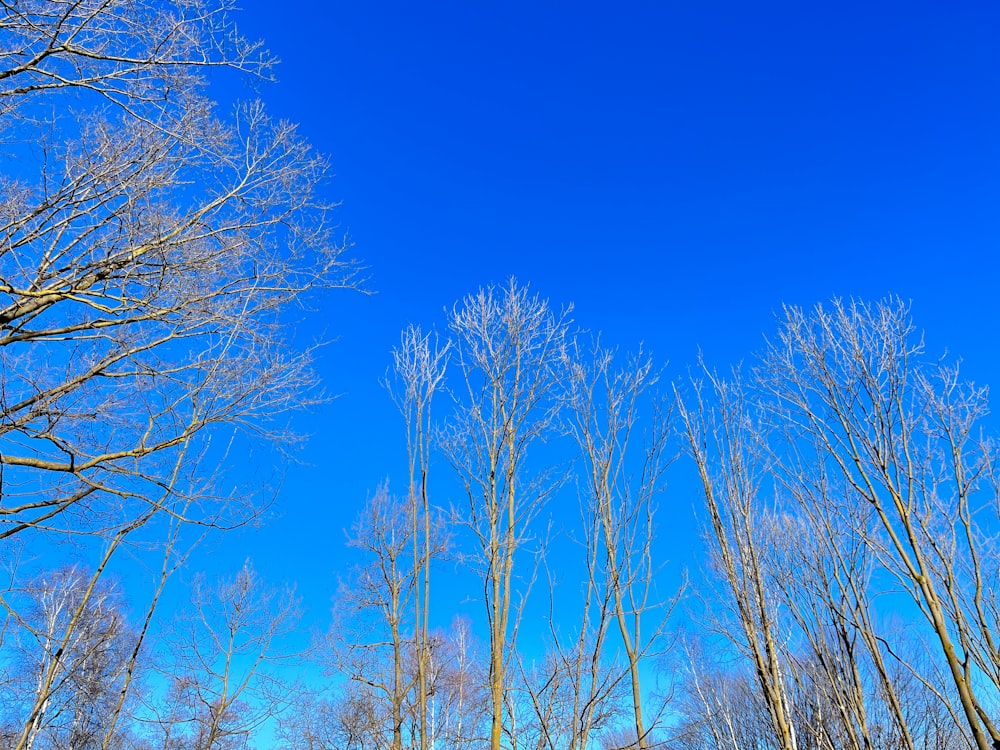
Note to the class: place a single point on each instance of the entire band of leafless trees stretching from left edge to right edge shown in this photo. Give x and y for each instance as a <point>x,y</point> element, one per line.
<point>151,249</point>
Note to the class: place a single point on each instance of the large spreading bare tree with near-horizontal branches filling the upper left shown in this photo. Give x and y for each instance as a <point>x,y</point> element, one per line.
<point>148,249</point>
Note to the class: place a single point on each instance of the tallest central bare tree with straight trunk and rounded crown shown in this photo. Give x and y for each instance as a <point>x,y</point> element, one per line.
<point>509,352</point>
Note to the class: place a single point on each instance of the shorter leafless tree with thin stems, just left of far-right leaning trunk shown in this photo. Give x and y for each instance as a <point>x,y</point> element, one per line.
<point>825,577</point>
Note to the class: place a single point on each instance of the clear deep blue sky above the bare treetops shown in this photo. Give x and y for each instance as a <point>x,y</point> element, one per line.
<point>678,171</point>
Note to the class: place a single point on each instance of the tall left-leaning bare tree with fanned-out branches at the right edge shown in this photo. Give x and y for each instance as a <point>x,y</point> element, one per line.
<point>903,434</point>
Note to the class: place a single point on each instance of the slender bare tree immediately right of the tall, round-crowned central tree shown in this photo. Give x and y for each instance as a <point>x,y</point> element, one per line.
<point>604,413</point>
